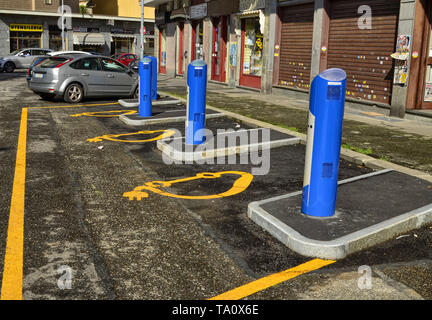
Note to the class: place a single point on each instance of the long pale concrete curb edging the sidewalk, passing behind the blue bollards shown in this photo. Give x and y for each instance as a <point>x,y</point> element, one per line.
<point>346,154</point>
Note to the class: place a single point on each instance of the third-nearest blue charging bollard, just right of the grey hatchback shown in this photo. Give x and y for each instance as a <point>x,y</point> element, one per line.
<point>145,76</point>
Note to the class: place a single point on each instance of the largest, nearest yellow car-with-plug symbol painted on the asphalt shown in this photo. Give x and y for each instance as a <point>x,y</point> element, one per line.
<point>240,185</point>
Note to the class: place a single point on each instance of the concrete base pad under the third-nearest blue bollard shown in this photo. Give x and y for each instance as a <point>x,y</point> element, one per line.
<point>163,116</point>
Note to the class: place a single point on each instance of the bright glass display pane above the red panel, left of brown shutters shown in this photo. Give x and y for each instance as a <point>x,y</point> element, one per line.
<point>253,46</point>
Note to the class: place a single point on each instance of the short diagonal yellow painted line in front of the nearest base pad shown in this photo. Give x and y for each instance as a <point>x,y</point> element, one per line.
<point>272,280</point>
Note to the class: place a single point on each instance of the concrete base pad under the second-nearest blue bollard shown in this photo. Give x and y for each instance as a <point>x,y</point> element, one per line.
<point>178,150</point>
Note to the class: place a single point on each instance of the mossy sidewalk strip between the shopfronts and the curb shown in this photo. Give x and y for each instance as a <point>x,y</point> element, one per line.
<point>405,142</point>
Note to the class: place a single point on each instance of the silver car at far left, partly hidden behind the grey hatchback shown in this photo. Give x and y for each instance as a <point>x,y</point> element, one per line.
<point>21,59</point>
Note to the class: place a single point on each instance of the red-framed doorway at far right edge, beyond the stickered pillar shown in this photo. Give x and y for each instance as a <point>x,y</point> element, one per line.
<point>425,98</point>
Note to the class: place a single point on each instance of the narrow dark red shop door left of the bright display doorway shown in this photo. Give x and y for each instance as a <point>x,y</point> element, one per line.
<point>219,48</point>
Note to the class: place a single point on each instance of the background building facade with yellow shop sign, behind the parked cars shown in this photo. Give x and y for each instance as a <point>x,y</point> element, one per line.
<point>36,23</point>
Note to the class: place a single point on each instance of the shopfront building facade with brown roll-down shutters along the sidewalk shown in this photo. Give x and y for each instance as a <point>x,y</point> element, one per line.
<point>385,46</point>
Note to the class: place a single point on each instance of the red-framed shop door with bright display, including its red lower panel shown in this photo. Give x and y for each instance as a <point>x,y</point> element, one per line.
<point>251,53</point>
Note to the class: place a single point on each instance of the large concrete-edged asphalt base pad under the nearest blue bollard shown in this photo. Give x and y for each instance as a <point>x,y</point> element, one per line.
<point>371,209</point>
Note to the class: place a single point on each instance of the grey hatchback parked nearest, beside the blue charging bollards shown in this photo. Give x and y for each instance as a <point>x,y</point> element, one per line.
<point>73,77</point>
